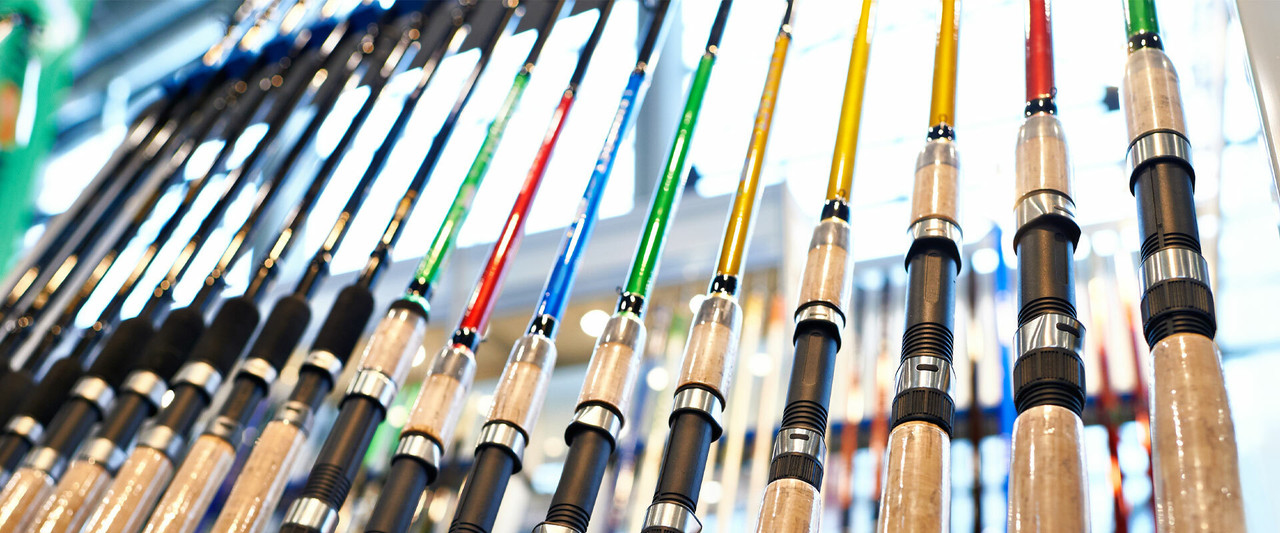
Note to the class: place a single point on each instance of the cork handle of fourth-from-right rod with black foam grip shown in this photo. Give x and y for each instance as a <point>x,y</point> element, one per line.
<point>74,500</point>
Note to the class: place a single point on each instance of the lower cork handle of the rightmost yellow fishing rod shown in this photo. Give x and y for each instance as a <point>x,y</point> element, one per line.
<point>918,481</point>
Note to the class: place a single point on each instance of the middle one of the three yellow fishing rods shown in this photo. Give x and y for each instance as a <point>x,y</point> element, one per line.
<point>793,498</point>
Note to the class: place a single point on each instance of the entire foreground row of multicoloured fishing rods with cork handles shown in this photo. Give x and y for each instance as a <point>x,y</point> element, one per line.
<point>149,379</point>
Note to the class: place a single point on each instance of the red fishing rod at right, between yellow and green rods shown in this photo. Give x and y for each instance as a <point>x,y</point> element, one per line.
<point>1048,482</point>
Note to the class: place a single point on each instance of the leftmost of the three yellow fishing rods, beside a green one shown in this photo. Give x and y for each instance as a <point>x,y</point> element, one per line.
<point>712,353</point>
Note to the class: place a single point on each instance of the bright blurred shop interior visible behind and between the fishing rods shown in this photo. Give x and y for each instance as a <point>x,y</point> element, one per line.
<point>74,74</point>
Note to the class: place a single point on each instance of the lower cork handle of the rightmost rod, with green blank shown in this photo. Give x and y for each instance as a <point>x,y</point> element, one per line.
<point>1194,440</point>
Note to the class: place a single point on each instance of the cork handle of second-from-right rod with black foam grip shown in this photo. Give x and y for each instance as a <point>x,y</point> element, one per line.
<point>194,488</point>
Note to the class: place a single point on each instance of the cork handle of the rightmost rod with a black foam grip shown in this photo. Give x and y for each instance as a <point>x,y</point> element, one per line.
<point>258,490</point>
